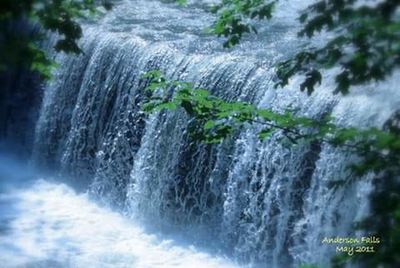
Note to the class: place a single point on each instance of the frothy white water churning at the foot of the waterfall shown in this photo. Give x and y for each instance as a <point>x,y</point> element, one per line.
<point>48,225</point>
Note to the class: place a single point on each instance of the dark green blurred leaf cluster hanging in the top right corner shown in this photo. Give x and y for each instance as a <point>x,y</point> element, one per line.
<point>366,43</point>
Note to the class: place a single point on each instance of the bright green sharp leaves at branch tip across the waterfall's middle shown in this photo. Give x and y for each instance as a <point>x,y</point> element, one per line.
<point>217,118</point>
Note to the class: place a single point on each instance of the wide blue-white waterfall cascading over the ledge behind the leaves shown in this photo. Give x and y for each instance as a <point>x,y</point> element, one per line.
<point>260,202</point>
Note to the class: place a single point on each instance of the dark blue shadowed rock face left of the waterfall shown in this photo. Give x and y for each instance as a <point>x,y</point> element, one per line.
<point>20,95</point>
